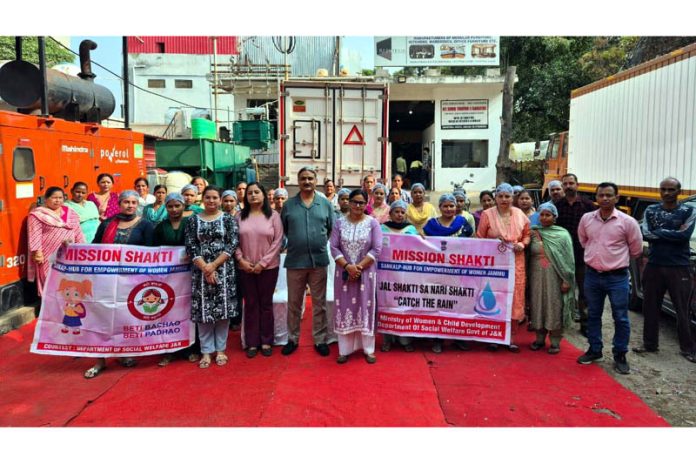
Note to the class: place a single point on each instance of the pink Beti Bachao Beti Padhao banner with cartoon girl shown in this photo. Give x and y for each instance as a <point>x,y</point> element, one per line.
<point>116,300</point>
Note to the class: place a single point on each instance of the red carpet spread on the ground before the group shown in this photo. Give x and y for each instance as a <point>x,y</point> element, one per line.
<point>422,389</point>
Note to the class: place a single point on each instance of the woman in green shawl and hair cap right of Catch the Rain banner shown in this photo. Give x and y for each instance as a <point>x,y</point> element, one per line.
<point>552,280</point>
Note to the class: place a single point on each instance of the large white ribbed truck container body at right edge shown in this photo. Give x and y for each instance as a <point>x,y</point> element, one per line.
<point>636,128</point>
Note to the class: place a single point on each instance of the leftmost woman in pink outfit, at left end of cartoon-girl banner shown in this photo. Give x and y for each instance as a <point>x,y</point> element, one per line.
<point>49,227</point>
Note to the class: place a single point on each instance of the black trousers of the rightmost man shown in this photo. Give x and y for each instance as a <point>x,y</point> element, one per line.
<point>678,281</point>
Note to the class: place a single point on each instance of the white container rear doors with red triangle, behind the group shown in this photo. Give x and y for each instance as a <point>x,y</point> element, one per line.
<point>339,127</point>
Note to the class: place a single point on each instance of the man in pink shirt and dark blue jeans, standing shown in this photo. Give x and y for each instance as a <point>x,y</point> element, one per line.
<point>610,239</point>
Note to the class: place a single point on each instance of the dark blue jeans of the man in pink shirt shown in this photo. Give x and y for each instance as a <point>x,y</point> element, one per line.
<point>597,288</point>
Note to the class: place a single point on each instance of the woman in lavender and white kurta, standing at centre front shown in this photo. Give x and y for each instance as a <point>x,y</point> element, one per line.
<point>356,242</point>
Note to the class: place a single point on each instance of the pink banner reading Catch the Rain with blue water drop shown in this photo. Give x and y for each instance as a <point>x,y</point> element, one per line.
<point>442,287</point>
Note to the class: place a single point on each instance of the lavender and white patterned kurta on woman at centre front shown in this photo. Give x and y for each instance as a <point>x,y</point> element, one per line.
<point>355,301</point>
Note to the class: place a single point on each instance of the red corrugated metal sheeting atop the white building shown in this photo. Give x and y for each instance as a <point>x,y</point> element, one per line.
<point>194,45</point>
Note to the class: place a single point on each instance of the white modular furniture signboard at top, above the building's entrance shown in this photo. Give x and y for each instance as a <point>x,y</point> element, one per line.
<point>437,51</point>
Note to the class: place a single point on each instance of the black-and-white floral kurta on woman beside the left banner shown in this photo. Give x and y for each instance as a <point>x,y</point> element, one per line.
<point>207,239</point>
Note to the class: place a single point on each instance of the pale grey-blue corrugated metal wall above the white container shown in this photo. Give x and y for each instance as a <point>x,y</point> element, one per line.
<point>310,54</point>
